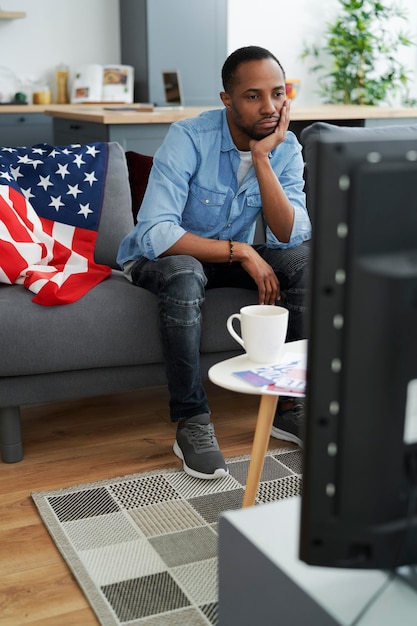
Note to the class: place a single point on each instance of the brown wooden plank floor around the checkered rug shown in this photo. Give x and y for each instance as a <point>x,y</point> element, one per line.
<point>76,442</point>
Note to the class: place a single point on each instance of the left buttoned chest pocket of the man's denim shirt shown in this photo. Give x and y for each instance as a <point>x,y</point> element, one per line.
<point>205,209</point>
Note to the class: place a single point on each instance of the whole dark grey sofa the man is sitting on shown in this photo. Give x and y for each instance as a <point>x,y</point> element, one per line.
<point>106,342</point>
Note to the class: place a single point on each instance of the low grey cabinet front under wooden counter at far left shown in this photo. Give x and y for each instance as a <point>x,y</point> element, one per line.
<point>25,129</point>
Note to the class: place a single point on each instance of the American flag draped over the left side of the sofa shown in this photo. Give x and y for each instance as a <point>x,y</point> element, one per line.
<point>50,205</point>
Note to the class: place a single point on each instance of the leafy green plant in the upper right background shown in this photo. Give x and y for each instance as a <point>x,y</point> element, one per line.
<point>357,61</point>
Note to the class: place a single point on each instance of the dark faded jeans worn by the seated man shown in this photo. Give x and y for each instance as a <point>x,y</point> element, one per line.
<point>180,283</point>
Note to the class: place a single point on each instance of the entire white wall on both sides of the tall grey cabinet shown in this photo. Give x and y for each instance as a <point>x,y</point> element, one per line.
<point>76,32</point>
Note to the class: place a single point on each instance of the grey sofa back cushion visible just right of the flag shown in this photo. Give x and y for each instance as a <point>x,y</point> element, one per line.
<point>116,215</point>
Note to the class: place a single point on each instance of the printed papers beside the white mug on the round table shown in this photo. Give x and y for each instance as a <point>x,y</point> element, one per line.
<point>288,377</point>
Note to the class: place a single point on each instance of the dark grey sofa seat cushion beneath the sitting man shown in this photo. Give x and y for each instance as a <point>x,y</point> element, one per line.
<point>114,324</point>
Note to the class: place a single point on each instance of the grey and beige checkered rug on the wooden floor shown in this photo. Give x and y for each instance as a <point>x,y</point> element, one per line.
<point>143,548</point>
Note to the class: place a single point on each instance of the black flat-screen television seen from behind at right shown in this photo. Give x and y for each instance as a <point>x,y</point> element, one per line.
<point>360,451</point>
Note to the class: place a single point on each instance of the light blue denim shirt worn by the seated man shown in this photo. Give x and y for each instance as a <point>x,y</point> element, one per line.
<point>193,188</point>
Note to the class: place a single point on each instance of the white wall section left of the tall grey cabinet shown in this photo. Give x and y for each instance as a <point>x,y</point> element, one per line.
<point>73,32</point>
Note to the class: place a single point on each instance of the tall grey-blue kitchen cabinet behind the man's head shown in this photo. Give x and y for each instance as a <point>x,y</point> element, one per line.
<point>186,35</point>
